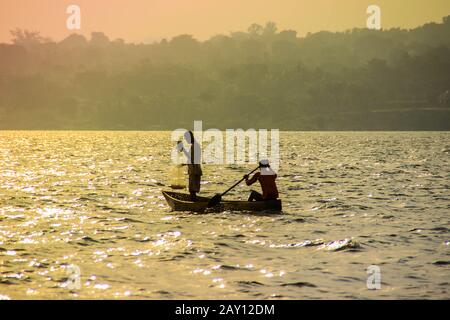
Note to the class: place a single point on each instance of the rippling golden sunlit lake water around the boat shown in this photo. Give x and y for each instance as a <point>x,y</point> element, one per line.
<point>351,200</point>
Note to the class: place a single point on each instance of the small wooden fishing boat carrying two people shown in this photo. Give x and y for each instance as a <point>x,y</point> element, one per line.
<point>181,202</point>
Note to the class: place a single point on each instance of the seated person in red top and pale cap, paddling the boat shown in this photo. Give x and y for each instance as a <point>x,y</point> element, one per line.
<point>266,178</point>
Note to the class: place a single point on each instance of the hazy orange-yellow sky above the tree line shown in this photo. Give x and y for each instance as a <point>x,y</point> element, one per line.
<point>148,20</point>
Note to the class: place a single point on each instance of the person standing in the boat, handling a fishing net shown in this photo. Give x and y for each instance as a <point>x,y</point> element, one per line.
<point>193,157</point>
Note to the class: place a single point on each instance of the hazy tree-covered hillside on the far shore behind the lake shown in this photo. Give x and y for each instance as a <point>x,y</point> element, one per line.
<point>263,78</point>
